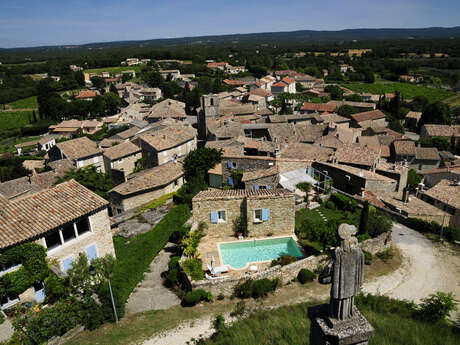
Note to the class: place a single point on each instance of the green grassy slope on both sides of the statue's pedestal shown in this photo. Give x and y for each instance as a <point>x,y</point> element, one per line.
<point>291,325</point>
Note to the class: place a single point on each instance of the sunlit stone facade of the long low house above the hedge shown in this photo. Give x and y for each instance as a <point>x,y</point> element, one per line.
<point>121,203</point>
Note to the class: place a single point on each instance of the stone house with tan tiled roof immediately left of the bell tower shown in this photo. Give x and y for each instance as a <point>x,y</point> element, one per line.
<point>168,144</point>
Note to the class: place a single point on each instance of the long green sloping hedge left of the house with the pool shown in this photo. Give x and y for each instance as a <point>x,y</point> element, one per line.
<point>135,254</point>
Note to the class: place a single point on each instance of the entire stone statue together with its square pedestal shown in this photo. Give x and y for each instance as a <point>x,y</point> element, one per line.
<point>340,322</point>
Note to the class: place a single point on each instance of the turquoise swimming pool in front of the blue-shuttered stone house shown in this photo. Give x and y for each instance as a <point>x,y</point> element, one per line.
<point>239,253</point>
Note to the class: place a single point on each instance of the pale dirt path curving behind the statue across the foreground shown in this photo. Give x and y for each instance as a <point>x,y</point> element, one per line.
<point>426,267</point>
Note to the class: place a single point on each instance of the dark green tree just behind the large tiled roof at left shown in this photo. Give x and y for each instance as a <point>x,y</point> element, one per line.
<point>100,183</point>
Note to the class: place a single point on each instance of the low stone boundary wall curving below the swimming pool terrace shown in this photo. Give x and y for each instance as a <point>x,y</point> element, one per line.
<point>285,273</point>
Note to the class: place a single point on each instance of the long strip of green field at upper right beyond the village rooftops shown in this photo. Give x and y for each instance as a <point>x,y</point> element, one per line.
<point>408,91</point>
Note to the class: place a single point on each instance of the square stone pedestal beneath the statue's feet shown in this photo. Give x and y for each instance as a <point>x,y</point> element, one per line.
<point>326,331</point>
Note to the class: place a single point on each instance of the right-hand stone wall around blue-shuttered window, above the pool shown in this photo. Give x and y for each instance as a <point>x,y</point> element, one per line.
<point>282,216</point>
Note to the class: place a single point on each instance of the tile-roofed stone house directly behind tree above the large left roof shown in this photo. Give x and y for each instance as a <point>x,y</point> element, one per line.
<point>81,152</point>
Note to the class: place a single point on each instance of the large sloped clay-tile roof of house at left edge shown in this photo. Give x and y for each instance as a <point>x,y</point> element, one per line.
<point>34,215</point>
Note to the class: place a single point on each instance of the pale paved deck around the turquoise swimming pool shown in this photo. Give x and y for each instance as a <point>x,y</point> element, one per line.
<point>209,247</point>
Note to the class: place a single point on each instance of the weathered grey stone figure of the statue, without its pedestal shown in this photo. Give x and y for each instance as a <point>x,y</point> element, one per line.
<point>345,272</point>
